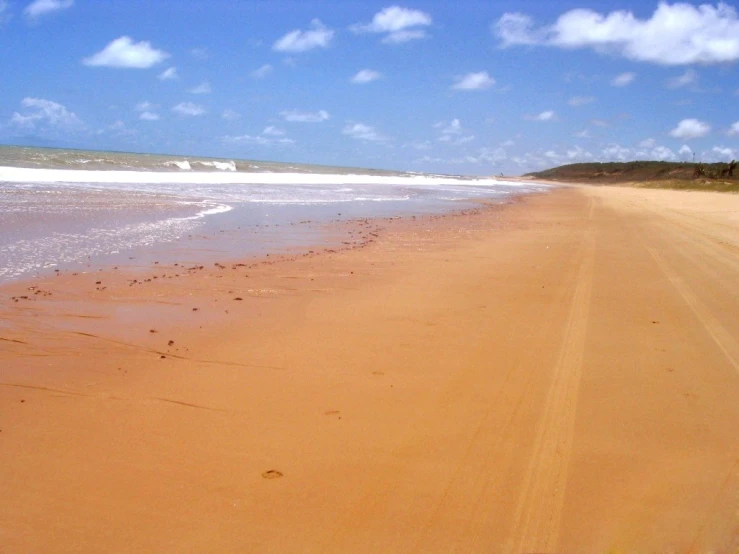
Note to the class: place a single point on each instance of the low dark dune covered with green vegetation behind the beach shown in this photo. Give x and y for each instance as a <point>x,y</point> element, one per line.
<point>721,177</point>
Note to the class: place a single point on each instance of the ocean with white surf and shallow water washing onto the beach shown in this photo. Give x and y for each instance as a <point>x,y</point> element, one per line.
<point>67,209</point>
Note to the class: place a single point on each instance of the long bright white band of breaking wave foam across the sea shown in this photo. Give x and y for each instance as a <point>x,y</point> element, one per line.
<point>35,175</point>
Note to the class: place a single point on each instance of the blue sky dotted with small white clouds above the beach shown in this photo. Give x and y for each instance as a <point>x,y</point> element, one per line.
<point>472,87</point>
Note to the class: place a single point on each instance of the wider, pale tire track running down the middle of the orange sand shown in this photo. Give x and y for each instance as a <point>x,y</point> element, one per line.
<point>539,508</point>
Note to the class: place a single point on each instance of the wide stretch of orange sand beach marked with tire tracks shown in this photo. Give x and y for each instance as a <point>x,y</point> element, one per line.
<point>556,375</point>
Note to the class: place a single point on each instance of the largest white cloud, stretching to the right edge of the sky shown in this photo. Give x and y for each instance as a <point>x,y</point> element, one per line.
<point>675,34</point>
